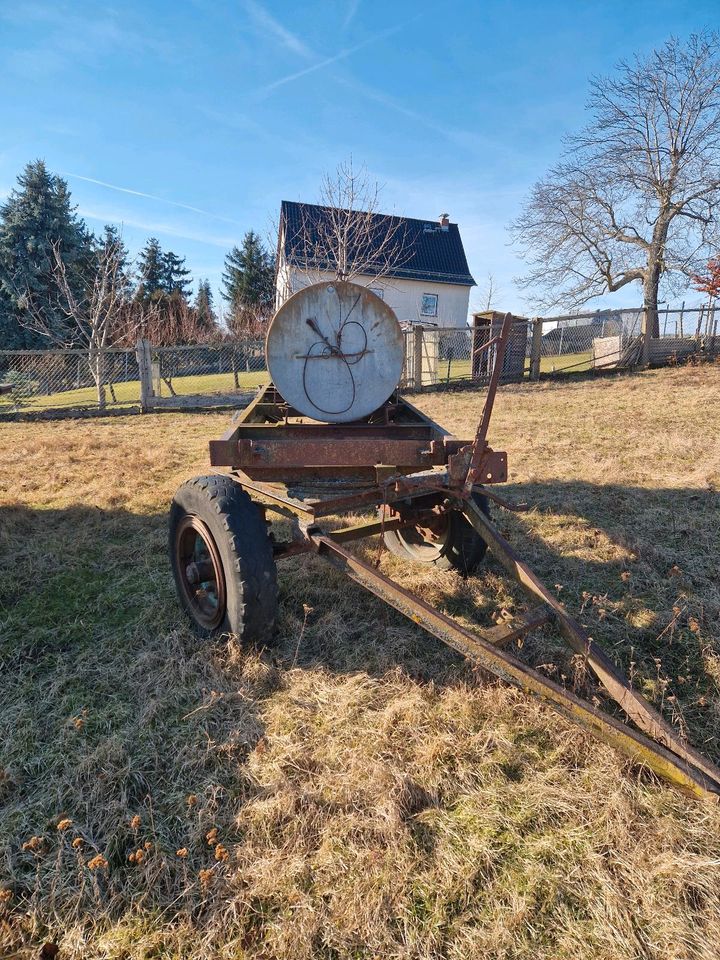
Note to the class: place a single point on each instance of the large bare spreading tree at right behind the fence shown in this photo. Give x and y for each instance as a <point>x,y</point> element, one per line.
<point>637,194</point>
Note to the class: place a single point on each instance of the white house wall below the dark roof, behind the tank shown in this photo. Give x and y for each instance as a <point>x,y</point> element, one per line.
<point>403,296</point>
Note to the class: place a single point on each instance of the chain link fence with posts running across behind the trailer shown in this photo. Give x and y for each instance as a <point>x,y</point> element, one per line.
<point>227,374</point>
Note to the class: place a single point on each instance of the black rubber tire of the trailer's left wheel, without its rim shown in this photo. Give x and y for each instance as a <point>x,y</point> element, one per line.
<point>243,547</point>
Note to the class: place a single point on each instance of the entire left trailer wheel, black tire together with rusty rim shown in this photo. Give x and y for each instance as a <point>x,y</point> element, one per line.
<point>222,560</point>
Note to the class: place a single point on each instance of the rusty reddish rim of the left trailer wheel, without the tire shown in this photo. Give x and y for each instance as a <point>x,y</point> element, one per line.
<point>201,573</point>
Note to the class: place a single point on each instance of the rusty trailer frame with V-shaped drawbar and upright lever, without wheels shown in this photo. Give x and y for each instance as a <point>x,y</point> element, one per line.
<point>397,452</point>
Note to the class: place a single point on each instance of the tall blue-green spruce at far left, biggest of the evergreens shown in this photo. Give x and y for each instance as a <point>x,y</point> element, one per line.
<point>37,216</point>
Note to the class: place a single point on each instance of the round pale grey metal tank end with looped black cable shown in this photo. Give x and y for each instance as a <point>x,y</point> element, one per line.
<point>335,351</point>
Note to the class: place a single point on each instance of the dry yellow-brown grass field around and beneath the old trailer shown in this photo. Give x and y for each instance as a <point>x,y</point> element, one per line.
<point>357,790</point>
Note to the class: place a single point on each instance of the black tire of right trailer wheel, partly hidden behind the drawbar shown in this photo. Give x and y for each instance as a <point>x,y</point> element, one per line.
<point>461,548</point>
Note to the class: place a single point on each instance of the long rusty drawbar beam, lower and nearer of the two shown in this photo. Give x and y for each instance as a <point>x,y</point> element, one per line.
<point>703,780</point>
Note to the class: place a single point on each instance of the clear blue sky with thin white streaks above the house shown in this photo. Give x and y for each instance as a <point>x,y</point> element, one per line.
<point>208,114</point>
